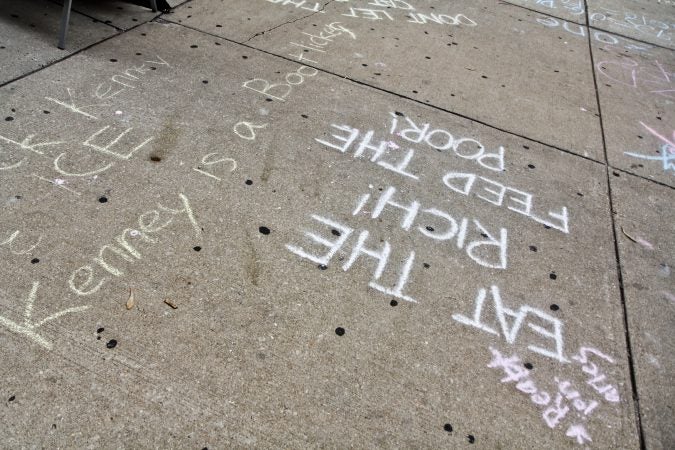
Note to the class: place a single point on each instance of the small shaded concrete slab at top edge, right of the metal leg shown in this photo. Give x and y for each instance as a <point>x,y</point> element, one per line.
<point>118,13</point>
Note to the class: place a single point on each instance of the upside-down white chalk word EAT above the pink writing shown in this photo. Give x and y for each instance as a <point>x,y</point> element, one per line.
<point>510,333</point>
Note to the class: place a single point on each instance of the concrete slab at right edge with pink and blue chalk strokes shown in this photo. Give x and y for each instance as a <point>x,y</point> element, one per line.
<point>637,91</point>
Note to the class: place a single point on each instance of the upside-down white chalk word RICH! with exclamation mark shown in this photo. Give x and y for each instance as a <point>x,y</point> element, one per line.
<point>489,252</point>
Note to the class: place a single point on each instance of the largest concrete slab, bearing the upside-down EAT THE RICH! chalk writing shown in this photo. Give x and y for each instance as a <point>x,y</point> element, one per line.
<point>229,256</point>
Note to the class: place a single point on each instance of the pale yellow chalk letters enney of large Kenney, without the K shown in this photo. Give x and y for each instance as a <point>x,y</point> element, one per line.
<point>83,280</point>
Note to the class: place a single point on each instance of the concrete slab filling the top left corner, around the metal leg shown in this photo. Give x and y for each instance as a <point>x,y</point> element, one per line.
<point>29,34</point>
